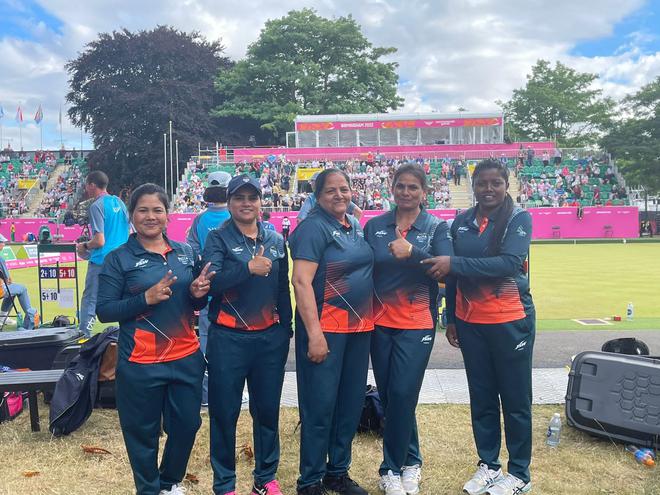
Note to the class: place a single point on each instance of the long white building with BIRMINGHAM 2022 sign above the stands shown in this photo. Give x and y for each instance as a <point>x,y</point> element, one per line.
<point>396,129</point>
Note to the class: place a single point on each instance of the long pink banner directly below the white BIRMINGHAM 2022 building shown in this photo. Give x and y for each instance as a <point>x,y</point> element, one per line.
<point>453,150</point>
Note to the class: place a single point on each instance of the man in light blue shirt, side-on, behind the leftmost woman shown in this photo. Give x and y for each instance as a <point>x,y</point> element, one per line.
<point>108,221</point>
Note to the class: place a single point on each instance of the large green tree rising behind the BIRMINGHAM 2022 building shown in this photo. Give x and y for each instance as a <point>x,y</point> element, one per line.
<point>306,64</point>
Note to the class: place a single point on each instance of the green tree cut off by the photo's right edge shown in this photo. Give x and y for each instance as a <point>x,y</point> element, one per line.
<point>635,141</point>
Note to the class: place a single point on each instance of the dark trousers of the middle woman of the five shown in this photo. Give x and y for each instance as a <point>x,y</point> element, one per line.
<point>330,401</point>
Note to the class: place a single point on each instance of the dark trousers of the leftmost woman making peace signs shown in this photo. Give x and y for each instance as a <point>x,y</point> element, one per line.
<point>145,394</point>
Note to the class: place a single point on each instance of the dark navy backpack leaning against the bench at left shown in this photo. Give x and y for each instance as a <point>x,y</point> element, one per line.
<point>76,391</point>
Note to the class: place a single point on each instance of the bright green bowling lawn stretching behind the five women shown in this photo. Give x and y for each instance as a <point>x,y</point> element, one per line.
<point>568,281</point>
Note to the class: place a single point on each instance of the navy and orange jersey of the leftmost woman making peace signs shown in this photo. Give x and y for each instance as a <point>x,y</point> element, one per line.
<point>149,334</point>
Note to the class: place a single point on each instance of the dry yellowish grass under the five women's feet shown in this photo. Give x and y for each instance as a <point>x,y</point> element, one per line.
<point>581,465</point>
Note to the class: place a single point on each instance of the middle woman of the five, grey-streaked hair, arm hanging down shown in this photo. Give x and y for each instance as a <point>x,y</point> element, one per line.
<point>332,279</point>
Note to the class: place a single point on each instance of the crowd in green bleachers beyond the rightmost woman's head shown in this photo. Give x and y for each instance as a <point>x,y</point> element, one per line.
<point>568,182</point>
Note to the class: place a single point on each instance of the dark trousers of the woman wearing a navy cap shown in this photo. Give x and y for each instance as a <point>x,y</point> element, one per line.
<point>235,356</point>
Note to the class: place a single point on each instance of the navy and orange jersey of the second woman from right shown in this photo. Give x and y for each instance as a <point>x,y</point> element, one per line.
<point>405,298</point>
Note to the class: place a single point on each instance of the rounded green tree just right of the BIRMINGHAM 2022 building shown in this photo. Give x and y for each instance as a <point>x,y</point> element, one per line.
<point>558,103</point>
